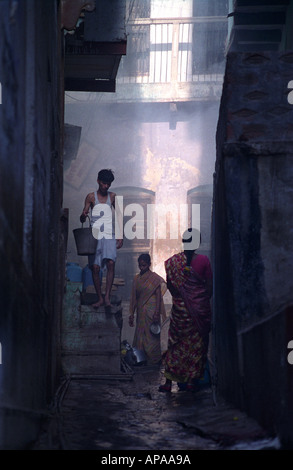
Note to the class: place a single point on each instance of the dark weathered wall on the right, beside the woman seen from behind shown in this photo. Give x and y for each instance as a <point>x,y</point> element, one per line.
<point>252,241</point>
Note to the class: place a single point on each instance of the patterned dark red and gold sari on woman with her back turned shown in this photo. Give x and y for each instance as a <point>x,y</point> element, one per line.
<point>190,320</point>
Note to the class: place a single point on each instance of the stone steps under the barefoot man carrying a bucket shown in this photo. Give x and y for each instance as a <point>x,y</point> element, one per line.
<point>90,339</point>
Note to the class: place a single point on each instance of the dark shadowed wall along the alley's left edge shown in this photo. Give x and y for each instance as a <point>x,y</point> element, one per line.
<point>30,211</point>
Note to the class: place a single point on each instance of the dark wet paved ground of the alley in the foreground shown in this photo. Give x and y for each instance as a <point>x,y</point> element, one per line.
<point>131,414</point>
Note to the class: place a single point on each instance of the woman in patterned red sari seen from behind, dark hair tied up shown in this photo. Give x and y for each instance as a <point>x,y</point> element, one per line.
<point>189,280</point>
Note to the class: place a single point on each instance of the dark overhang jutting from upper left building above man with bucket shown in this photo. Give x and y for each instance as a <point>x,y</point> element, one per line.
<point>93,50</point>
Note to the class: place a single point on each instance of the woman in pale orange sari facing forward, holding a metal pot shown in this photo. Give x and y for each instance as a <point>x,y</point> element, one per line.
<point>148,289</point>
